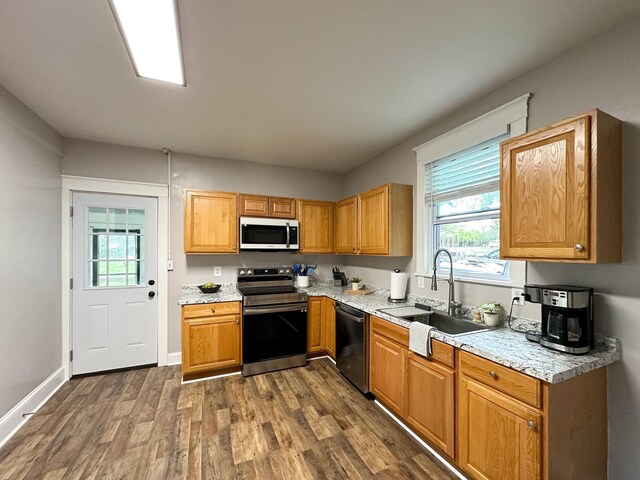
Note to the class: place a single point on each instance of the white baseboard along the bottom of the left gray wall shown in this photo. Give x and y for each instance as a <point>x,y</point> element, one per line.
<point>13,420</point>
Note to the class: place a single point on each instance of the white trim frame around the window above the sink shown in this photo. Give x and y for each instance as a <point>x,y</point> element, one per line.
<point>510,118</point>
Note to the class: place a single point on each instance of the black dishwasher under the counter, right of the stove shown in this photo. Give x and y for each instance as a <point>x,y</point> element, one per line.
<point>352,346</point>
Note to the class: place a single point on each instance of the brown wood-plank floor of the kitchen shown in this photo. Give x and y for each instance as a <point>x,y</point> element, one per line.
<point>143,424</point>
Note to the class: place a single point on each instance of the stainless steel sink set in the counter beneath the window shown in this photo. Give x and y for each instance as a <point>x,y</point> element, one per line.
<point>453,326</point>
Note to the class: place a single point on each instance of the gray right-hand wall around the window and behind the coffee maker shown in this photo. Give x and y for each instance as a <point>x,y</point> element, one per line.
<point>603,73</point>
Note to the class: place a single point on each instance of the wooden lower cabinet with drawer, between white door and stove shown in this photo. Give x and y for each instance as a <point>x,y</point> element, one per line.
<point>211,337</point>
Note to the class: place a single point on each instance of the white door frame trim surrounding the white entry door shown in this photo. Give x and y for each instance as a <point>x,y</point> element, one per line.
<point>72,184</point>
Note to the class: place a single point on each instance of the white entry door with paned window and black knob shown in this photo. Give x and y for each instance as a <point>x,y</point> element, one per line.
<point>114,256</point>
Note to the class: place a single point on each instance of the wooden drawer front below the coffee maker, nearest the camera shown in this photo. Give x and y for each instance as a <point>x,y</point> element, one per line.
<point>514,384</point>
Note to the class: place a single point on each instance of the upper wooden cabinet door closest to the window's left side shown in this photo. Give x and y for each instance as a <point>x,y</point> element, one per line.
<point>374,221</point>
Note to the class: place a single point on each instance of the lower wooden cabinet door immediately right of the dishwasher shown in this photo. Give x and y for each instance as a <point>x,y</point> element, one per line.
<point>388,371</point>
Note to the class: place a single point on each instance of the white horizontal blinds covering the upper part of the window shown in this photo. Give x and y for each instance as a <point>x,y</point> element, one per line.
<point>472,171</point>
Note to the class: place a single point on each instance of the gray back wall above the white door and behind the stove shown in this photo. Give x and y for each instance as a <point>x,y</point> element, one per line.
<point>189,171</point>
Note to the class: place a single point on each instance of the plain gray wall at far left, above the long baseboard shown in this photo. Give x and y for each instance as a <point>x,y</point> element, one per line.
<point>30,332</point>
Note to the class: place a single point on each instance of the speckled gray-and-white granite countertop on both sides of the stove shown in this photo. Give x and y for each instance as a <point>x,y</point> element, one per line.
<point>500,344</point>
